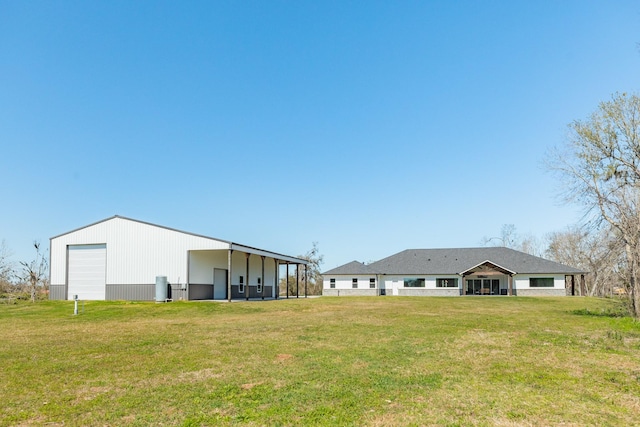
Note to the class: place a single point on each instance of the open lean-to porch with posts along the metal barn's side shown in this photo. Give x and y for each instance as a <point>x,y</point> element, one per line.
<point>237,273</point>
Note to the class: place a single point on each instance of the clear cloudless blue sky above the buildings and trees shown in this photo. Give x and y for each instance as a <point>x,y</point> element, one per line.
<point>368,127</point>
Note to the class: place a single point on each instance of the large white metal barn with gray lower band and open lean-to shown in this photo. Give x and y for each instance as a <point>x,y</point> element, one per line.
<point>120,259</point>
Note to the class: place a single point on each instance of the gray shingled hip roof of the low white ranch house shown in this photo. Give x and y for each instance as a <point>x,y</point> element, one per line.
<point>456,261</point>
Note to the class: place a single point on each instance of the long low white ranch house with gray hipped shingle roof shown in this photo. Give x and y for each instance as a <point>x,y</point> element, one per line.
<point>454,272</point>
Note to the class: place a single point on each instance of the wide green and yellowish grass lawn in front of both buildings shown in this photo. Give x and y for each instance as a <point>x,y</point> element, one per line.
<point>380,361</point>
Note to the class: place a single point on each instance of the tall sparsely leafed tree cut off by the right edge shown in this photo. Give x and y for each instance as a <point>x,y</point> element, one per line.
<point>601,170</point>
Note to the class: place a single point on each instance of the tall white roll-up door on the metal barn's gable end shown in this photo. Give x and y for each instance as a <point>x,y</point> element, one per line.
<point>87,271</point>
